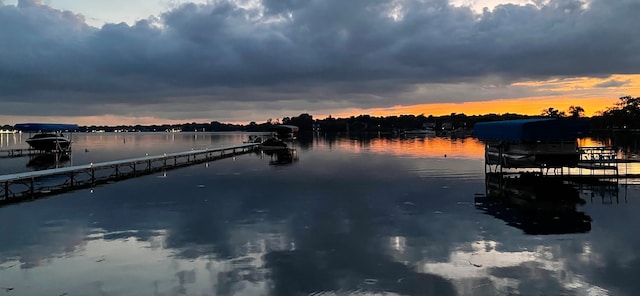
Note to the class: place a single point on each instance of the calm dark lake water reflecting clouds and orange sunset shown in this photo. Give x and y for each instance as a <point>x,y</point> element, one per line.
<point>350,216</point>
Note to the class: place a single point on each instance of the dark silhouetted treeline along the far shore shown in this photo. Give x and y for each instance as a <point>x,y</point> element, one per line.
<point>623,116</point>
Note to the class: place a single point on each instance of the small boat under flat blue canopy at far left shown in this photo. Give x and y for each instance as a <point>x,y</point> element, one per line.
<point>48,136</point>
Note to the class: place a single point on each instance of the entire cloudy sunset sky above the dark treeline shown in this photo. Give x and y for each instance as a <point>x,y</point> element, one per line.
<point>176,61</point>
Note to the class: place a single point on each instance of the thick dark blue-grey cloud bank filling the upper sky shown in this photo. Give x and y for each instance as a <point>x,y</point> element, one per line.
<point>366,49</point>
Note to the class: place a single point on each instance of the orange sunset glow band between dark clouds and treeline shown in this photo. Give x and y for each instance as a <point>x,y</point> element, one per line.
<point>593,94</point>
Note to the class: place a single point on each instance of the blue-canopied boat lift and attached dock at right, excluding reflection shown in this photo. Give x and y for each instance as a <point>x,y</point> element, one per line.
<point>548,148</point>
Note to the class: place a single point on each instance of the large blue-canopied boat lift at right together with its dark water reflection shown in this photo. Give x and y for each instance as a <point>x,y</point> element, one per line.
<point>535,170</point>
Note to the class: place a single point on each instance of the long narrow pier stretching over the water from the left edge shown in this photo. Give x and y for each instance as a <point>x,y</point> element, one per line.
<point>37,184</point>
